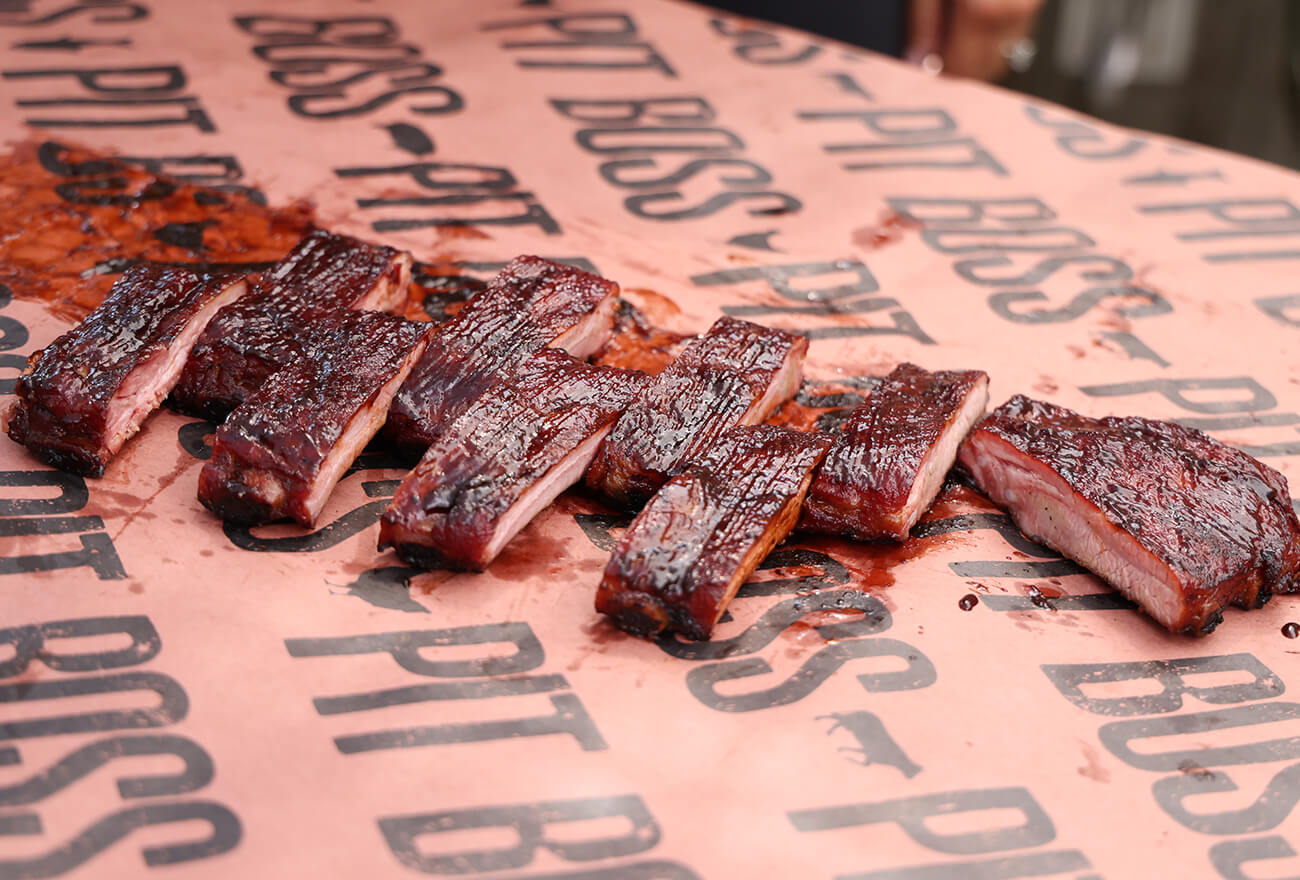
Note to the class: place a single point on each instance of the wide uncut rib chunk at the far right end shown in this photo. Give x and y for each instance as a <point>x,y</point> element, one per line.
<point>1173,519</point>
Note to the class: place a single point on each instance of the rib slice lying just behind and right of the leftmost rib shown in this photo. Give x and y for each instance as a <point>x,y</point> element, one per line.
<point>263,333</point>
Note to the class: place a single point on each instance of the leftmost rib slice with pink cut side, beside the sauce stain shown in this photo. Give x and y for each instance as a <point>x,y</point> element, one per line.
<point>89,392</point>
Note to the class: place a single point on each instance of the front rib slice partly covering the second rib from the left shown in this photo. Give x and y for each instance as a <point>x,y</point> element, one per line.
<point>283,450</point>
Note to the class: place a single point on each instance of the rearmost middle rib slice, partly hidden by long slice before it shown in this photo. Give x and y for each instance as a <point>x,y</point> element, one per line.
<point>531,305</point>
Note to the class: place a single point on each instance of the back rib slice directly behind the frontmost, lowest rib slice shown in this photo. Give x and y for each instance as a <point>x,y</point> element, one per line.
<point>738,374</point>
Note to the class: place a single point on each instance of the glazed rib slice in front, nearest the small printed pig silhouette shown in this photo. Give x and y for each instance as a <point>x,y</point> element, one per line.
<point>505,459</point>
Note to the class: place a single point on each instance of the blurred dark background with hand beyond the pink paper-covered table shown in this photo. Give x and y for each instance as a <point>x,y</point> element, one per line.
<point>1220,73</point>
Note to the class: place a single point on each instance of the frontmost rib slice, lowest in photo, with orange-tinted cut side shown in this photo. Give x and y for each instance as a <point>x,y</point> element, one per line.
<point>707,531</point>
